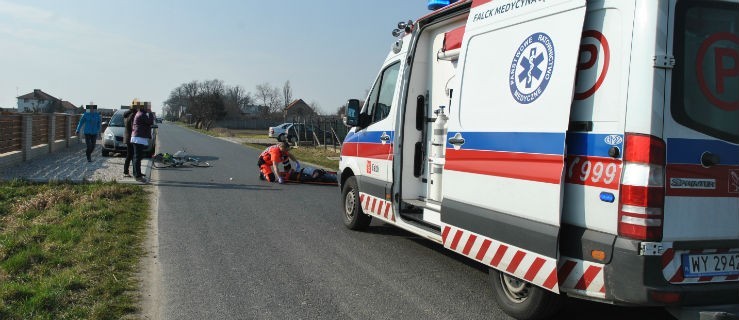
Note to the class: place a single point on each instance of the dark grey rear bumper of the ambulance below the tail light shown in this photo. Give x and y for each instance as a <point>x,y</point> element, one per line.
<point>635,279</point>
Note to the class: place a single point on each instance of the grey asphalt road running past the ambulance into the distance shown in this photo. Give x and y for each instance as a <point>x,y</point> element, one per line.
<point>234,247</point>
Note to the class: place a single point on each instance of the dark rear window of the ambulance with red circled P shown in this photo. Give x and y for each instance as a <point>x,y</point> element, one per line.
<point>705,93</point>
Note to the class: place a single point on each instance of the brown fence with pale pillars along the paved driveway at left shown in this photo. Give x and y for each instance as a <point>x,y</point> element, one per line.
<point>27,136</point>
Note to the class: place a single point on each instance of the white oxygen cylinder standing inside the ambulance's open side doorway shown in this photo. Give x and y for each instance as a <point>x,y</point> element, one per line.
<point>438,150</point>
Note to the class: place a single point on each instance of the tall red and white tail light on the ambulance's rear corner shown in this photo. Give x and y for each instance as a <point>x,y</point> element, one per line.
<point>642,196</point>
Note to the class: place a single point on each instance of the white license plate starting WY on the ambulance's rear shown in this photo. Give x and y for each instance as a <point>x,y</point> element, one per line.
<point>711,264</point>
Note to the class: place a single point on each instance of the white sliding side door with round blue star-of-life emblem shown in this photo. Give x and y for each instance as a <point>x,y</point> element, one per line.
<point>503,177</point>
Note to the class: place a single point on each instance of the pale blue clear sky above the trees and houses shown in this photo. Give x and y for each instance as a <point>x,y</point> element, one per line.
<point>109,52</point>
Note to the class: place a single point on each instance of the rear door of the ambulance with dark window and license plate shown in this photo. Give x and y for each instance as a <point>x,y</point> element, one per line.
<point>701,133</point>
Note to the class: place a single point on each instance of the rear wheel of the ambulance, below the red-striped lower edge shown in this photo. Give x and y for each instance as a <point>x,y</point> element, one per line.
<point>523,300</point>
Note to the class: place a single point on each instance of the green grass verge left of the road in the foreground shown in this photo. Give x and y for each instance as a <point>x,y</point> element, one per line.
<point>70,251</point>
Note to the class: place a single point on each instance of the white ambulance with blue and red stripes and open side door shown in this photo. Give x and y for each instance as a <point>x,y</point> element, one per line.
<point>580,149</point>
